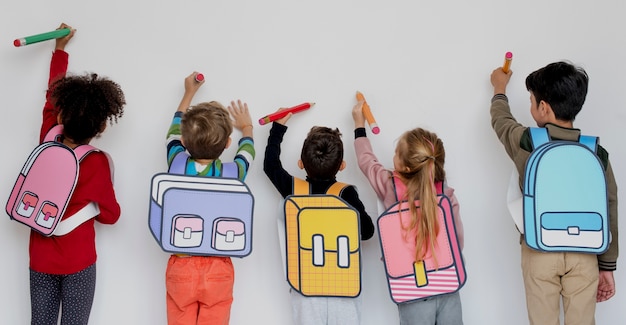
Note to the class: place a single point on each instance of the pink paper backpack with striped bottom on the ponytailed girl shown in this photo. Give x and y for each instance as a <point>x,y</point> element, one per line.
<point>410,281</point>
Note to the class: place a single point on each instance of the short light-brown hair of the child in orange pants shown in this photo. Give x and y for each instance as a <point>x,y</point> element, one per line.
<point>205,129</point>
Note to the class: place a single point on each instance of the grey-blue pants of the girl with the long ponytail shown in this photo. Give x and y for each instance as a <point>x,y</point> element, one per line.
<point>440,310</point>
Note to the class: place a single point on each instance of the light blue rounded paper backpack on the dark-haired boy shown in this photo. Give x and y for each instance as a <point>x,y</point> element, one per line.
<point>565,196</point>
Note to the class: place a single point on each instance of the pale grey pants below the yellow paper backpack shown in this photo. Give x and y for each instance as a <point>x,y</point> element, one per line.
<point>325,310</point>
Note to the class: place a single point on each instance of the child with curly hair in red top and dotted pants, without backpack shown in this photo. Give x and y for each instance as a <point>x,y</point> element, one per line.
<point>63,268</point>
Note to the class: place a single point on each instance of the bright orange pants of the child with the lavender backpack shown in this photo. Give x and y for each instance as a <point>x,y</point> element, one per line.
<point>199,289</point>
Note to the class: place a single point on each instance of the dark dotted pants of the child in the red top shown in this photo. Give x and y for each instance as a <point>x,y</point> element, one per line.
<point>73,293</point>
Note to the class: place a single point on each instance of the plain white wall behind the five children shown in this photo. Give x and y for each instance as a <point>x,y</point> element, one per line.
<point>419,63</point>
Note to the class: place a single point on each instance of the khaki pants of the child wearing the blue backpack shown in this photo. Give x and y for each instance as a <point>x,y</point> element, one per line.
<point>548,277</point>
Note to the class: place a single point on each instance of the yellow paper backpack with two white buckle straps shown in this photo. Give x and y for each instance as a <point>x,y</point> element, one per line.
<point>322,242</point>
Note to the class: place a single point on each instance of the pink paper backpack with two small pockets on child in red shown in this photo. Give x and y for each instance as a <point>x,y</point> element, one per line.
<point>45,185</point>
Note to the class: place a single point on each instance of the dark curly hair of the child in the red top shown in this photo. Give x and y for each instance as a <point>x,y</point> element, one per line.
<point>85,103</point>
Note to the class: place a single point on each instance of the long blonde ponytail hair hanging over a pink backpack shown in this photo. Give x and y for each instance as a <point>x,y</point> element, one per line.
<point>422,156</point>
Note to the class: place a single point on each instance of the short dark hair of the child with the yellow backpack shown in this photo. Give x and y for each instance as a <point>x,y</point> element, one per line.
<point>322,153</point>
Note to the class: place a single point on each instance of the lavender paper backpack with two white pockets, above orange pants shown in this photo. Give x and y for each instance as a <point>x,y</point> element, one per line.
<point>198,215</point>
